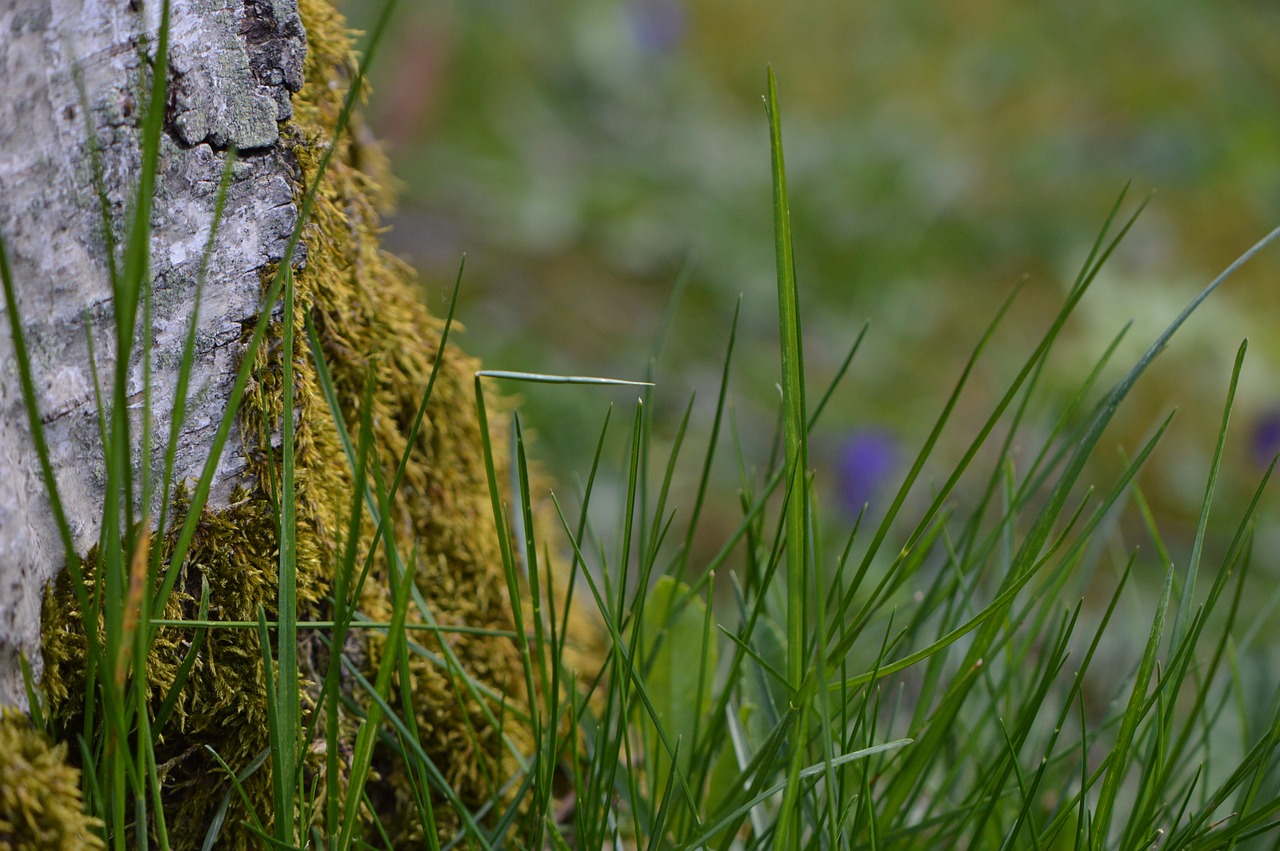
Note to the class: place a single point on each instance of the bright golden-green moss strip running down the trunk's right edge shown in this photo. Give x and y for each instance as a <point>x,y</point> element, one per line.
<point>371,321</point>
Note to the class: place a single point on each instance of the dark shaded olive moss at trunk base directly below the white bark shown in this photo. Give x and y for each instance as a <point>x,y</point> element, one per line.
<point>223,704</point>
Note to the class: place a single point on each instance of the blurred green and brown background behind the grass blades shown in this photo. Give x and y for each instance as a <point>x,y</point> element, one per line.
<point>582,152</point>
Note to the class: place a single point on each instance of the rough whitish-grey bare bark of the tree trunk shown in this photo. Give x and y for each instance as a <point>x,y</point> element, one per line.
<point>234,67</point>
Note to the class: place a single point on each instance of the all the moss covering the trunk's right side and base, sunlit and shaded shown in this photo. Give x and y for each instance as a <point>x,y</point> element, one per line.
<point>371,322</point>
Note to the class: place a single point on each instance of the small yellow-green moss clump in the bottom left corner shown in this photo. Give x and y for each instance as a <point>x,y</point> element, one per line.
<point>40,800</point>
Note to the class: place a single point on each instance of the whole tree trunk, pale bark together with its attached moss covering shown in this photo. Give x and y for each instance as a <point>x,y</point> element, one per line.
<point>234,68</point>
